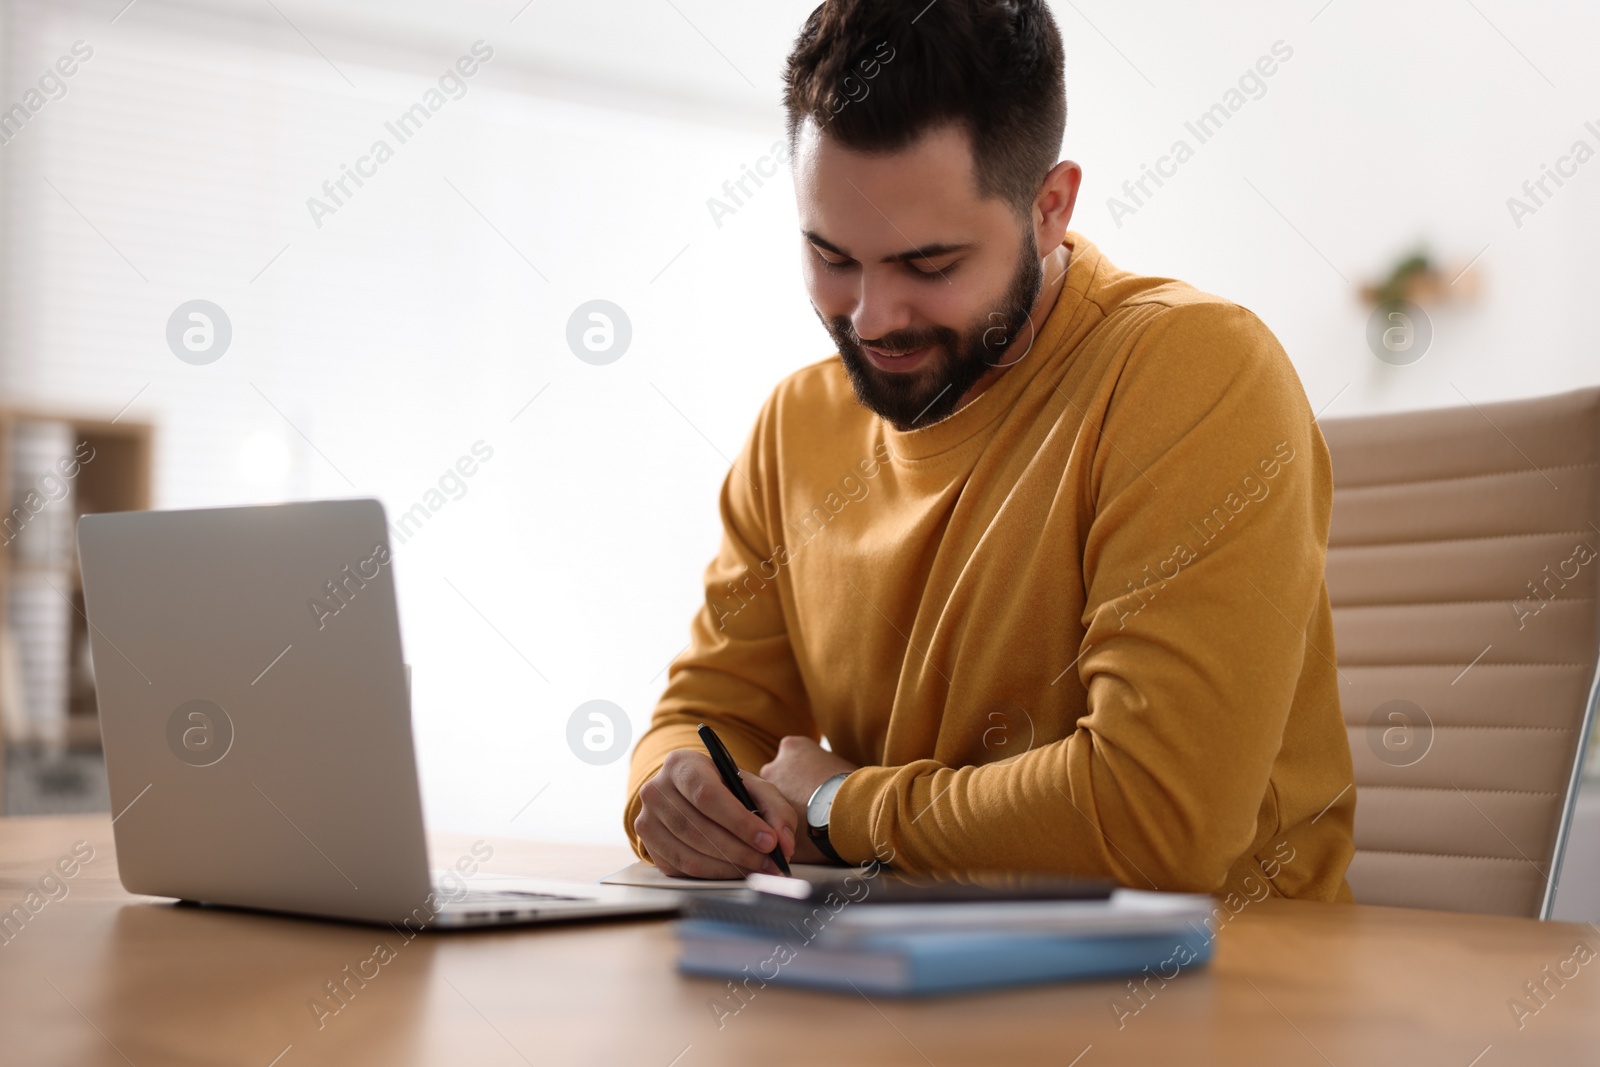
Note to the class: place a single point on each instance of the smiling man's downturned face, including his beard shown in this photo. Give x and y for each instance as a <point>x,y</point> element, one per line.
<point>922,284</point>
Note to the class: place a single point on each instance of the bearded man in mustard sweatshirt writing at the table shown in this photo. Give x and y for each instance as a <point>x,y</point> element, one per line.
<point>1041,553</point>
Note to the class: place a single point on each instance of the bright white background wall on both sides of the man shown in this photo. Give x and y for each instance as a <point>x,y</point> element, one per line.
<point>407,329</point>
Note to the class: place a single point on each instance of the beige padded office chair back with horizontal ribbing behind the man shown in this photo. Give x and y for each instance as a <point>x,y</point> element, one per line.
<point>1465,565</point>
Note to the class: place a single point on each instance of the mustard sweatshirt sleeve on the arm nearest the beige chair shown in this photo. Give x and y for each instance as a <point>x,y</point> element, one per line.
<point>1193,649</point>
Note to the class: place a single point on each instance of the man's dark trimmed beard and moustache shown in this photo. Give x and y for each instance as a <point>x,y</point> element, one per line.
<point>922,398</point>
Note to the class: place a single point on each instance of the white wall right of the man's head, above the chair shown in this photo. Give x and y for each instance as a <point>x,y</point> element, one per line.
<point>1388,127</point>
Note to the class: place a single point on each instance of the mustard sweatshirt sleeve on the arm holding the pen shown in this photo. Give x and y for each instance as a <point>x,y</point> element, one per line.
<point>740,673</point>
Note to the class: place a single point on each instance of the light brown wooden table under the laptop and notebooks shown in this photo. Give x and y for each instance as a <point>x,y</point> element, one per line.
<point>102,977</point>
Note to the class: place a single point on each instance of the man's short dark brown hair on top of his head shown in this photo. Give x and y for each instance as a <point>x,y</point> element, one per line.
<point>878,74</point>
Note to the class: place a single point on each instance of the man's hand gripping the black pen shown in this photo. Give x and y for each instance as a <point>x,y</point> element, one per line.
<point>695,828</point>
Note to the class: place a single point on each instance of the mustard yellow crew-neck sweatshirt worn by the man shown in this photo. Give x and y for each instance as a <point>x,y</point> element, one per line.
<point>1081,626</point>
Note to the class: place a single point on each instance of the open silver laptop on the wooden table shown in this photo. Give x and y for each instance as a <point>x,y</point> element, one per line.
<point>257,722</point>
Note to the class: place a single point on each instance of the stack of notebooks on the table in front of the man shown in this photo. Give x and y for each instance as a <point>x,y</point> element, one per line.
<point>876,938</point>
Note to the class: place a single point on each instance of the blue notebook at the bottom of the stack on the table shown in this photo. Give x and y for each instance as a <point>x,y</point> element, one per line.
<point>908,964</point>
